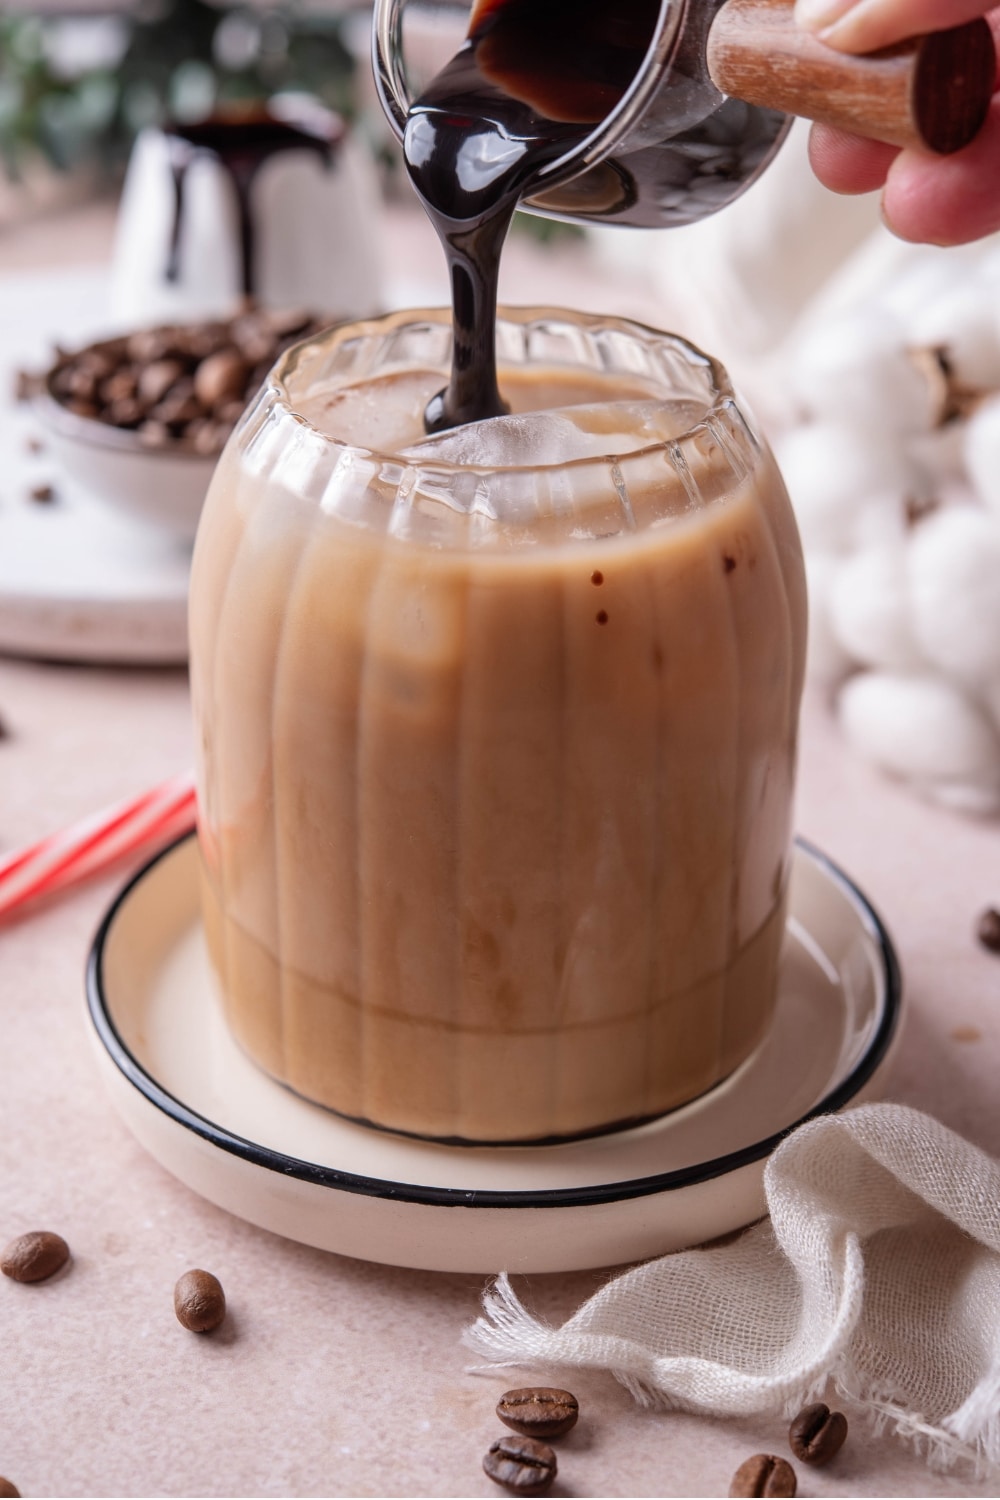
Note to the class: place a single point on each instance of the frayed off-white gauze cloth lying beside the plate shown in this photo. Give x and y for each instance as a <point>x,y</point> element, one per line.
<point>879,1268</point>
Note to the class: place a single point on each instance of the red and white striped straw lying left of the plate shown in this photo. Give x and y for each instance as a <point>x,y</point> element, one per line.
<point>64,859</point>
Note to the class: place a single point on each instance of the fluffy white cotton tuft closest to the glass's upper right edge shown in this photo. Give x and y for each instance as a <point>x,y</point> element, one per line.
<point>833,473</point>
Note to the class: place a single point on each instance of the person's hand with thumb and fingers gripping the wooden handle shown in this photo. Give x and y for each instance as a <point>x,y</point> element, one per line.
<point>938,200</point>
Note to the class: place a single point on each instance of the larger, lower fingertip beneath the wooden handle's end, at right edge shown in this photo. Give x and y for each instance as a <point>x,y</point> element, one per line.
<point>950,200</point>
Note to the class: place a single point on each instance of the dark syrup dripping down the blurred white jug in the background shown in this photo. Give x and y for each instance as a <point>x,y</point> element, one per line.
<point>242,145</point>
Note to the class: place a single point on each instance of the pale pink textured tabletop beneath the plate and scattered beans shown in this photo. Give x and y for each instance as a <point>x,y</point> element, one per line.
<point>334,1376</point>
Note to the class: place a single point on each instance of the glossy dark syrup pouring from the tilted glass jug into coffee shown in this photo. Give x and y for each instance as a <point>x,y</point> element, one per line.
<point>530,83</point>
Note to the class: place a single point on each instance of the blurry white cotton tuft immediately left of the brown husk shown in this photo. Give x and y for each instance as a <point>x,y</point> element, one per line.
<point>857,370</point>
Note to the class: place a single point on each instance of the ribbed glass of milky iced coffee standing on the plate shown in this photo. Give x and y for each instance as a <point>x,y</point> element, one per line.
<point>497,730</point>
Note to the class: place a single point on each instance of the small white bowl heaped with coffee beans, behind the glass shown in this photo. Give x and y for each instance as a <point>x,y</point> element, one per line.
<point>140,419</point>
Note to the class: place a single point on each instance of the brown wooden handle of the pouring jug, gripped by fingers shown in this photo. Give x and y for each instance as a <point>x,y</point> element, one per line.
<point>932,92</point>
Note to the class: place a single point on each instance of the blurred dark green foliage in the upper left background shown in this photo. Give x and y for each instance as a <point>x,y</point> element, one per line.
<point>178,59</point>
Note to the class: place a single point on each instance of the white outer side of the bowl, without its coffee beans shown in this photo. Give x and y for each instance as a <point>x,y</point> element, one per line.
<point>161,488</point>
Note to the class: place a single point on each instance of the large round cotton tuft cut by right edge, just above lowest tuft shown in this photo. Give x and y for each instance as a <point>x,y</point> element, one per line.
<point>954,569</point>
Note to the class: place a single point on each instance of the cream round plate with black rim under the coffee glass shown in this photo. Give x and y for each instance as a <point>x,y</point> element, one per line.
<point>245,1142</point>
